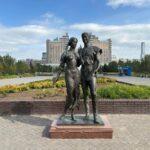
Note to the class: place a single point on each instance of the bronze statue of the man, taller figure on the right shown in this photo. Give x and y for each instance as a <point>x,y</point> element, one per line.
<point>90,62</point>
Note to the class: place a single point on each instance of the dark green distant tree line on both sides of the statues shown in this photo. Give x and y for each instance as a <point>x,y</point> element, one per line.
<point>9,65</point>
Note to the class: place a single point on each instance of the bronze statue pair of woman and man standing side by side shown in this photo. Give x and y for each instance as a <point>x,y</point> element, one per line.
<point>88,58</point>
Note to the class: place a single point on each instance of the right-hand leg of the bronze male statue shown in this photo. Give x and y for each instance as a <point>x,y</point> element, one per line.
<point>92,85</point>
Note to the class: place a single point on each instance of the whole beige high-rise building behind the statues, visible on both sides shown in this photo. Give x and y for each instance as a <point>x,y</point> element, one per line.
<point>55,48</point>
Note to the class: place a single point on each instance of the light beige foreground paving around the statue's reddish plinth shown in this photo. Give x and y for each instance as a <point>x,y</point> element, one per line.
<point>131,132</point>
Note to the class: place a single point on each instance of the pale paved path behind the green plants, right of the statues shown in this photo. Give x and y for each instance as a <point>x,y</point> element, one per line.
<point>132,80</point>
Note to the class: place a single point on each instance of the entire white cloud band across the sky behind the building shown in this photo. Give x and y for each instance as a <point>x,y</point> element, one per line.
<point>28,41</point>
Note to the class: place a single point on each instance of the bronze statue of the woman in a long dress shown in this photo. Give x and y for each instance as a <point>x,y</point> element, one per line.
<point>69,62</point>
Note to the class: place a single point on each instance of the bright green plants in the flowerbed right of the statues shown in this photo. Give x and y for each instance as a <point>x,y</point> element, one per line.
<point>118,91</point>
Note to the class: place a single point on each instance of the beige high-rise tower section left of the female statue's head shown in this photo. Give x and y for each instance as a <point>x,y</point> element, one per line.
<point>55,48</point>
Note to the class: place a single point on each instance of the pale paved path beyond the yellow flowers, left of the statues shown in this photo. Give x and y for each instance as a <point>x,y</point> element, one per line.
<point>14,81</point>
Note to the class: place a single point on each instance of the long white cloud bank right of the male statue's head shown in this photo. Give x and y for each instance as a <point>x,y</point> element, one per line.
<point>126,39</point>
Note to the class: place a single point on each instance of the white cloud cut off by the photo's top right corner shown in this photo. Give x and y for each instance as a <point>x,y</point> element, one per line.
<point>136,3</point>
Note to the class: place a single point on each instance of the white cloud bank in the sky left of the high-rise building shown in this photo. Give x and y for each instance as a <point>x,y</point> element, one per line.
<point>29,37</point>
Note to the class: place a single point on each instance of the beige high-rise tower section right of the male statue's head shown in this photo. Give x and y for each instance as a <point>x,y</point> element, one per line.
<point>106,46</point>
